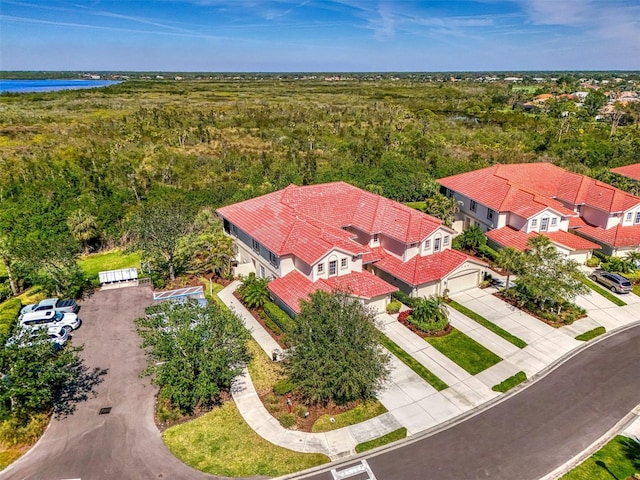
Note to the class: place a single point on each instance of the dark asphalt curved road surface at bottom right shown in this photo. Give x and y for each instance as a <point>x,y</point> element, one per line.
<point>533,432</point>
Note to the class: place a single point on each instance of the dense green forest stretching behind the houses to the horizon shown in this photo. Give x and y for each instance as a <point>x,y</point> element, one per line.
<point>75,166</point>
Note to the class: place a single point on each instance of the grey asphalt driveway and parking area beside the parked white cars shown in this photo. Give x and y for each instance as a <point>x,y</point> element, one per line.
<point>125,443</point>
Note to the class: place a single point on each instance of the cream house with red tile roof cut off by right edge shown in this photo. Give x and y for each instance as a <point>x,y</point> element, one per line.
<point>511,202</point>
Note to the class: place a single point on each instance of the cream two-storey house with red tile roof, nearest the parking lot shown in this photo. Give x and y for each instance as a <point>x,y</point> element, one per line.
<point>336,236</point>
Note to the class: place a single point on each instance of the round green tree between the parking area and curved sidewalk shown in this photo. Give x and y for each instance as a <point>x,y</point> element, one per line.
<point>194,352</point>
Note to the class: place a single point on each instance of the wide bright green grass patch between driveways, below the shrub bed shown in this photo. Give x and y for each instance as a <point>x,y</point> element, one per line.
<point>464,351</point>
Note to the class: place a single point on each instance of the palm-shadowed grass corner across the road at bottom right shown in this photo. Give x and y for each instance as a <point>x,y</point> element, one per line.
<point>617,459</point>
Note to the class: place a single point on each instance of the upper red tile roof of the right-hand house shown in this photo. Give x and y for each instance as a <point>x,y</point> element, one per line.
<point>512,187</point>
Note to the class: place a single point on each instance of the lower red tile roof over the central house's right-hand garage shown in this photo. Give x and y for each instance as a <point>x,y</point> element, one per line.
<point>420,270</point>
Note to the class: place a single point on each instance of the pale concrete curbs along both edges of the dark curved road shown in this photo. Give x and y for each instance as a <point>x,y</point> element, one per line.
<point>476,411</point>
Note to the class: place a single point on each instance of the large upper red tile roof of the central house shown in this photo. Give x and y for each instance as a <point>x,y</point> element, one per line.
<point>307,221</point>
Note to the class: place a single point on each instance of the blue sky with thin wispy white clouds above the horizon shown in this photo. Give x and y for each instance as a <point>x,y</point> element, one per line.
<point>319,35</point>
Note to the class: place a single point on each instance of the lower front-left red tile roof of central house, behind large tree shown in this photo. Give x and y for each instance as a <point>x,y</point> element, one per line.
<point>294,287</point>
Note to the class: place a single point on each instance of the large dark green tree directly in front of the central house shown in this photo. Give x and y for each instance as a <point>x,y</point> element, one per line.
<point>337,354</point>
